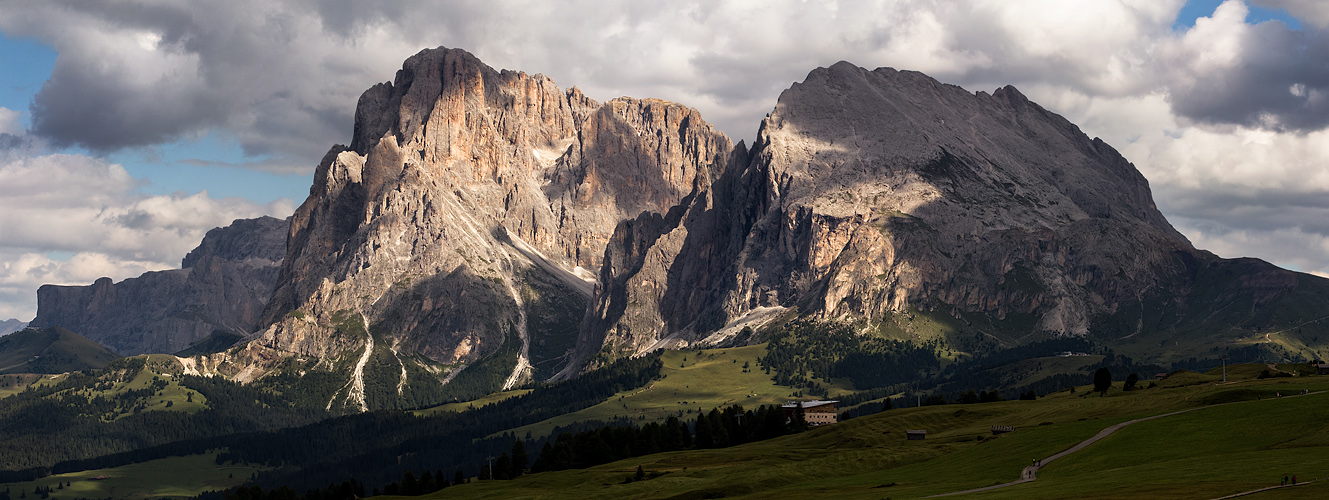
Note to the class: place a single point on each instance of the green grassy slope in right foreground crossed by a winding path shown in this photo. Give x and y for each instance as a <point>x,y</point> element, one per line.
<point>1210,453</point>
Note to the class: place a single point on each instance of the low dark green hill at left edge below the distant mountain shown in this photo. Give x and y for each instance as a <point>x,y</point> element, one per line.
<point>51,352</point>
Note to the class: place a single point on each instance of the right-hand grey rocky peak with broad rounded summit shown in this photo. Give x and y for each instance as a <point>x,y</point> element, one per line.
<point>872,196</point>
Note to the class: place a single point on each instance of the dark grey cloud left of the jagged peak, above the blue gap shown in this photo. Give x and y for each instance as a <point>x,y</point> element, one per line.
<point>136,74</point>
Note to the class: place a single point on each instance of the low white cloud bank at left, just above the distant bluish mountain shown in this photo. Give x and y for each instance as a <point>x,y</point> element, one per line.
<point>70,220</point>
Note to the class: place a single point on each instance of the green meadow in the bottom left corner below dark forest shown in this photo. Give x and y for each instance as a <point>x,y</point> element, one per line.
<point>183,477</point>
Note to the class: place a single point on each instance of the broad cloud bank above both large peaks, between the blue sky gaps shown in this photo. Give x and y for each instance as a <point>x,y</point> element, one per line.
<point>284,76</point>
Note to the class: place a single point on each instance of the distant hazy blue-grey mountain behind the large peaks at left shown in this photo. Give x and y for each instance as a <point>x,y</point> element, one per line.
<point>224,285</point>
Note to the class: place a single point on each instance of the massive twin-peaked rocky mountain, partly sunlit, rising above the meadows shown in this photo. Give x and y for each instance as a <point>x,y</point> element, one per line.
<point>486,228</point>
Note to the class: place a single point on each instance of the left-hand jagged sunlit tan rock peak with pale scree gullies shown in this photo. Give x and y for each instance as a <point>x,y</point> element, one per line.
<point>470,212</point>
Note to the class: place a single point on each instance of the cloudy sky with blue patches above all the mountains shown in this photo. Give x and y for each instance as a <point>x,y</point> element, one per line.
<point>128,128</point>
